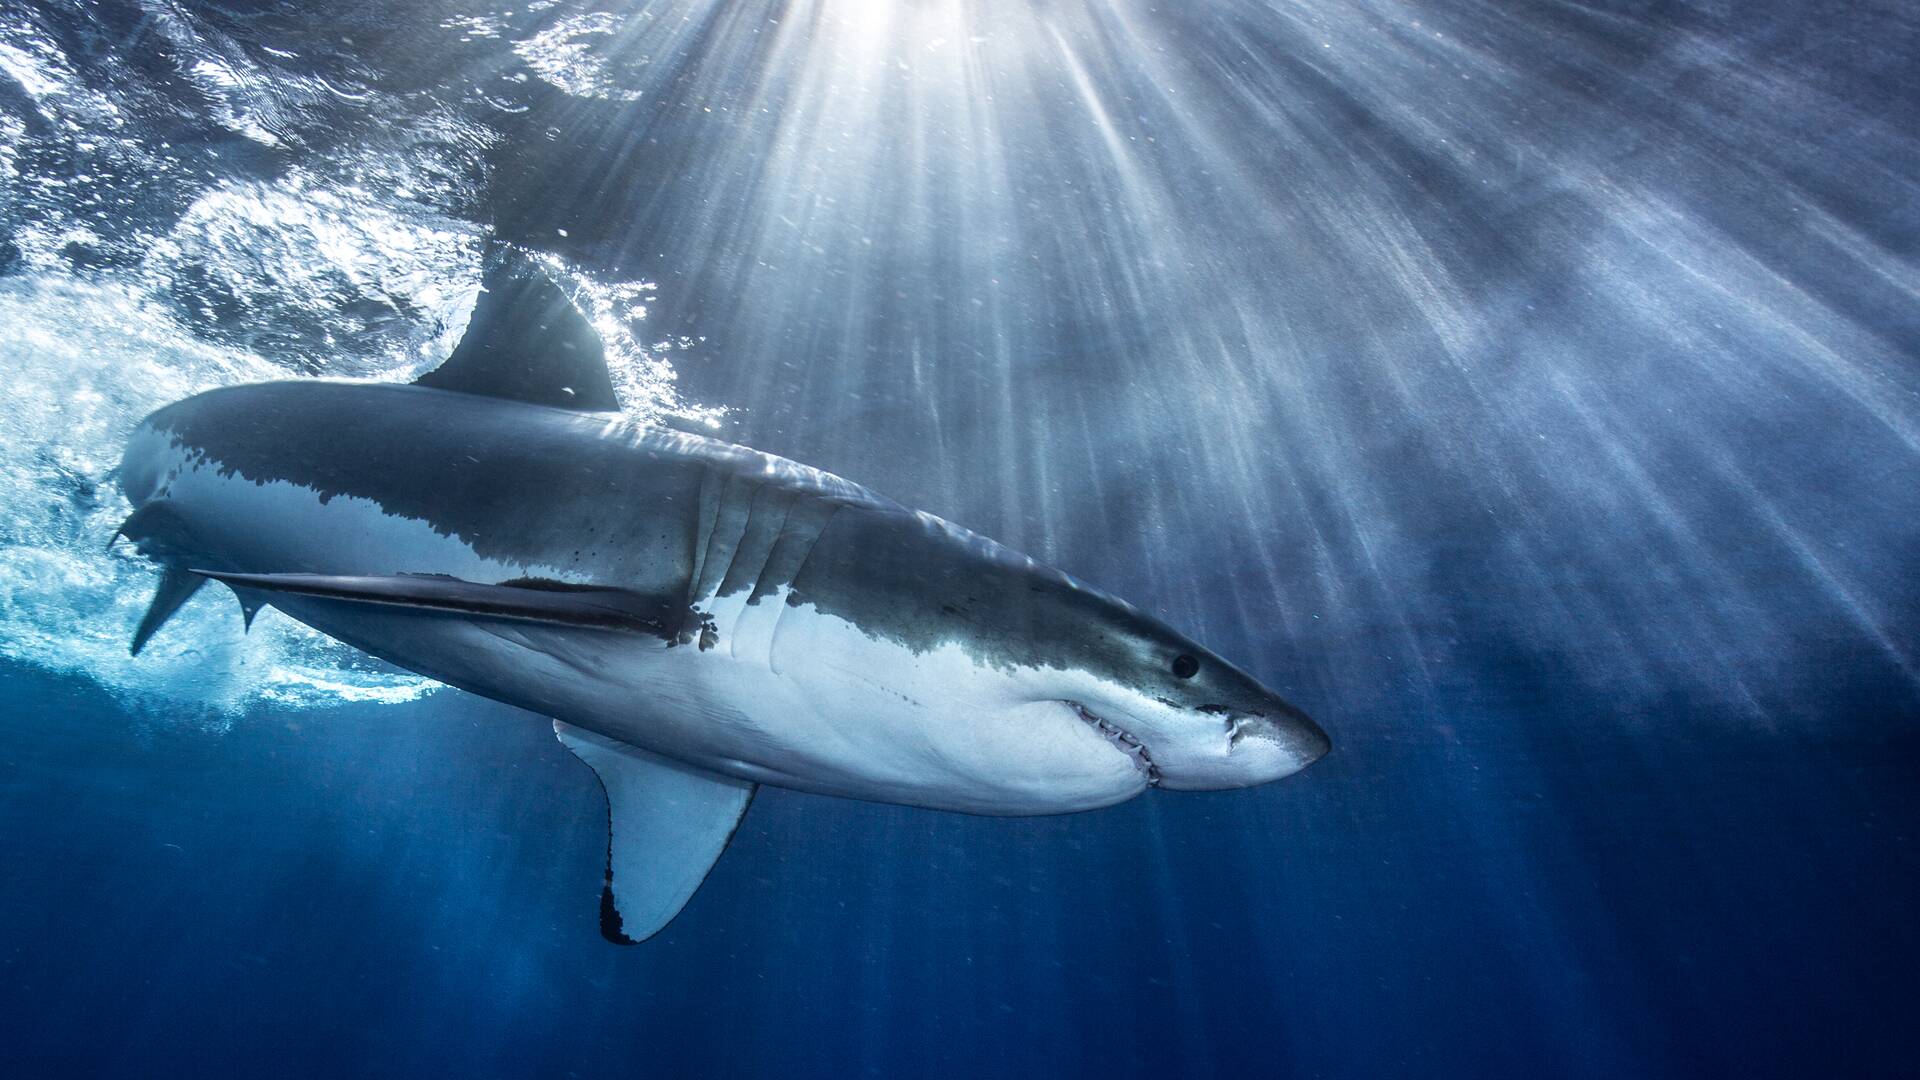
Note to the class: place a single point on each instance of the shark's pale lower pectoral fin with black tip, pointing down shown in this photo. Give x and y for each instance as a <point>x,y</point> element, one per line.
<point>667,827</point>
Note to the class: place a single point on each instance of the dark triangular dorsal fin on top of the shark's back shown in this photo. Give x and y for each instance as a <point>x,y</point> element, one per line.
<point>529,343</point>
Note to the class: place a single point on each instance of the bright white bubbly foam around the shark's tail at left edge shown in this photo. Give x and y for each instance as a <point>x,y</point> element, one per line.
<point>80,366</point>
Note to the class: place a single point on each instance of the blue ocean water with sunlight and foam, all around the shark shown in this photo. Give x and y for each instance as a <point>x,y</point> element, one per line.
<point>1527,391</point>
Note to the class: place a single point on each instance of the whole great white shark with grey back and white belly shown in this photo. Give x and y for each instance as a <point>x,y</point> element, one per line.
<point>694,618</point>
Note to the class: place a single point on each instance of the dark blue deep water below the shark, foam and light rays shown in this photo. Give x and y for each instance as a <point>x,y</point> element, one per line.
<point>406,891</point>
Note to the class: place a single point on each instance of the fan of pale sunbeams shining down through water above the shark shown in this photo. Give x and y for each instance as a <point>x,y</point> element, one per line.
<point>1428,308</point>
